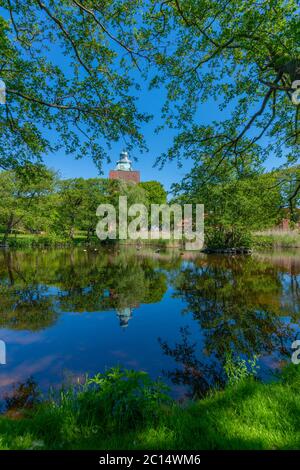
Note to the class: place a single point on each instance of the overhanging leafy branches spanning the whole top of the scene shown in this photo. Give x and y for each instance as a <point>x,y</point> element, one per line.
<point>69,67</point>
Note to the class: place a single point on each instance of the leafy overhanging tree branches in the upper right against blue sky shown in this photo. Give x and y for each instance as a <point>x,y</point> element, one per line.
<point>243,54</point>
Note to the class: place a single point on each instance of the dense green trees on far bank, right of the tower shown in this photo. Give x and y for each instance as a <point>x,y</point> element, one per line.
<point>238,201</point>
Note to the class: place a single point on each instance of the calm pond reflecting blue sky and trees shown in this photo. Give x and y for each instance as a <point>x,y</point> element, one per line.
<point>70,312</point>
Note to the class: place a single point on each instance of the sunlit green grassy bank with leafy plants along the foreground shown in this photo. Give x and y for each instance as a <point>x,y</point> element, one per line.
<point>128,411</point>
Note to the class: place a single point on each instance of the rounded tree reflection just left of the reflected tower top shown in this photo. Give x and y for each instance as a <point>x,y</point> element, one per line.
<point>116,281</point>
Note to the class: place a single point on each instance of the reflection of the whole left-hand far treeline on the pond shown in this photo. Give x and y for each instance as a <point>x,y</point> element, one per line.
<point>36,286</point>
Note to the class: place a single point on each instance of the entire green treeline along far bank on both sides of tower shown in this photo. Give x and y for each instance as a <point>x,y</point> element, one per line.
<point>35,201</point>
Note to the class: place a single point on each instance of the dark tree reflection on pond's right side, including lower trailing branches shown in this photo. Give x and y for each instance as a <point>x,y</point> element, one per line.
<point>239,306</point>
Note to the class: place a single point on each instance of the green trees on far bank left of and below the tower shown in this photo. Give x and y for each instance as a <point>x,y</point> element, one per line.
<point>34,200</point>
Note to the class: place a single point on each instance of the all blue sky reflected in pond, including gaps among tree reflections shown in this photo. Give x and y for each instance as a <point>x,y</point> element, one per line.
<point>91,341</point>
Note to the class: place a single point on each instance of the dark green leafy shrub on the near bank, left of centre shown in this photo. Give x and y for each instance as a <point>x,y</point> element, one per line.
<point>111,401</point>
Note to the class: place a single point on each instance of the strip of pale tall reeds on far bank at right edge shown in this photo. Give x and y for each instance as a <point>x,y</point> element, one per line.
<point>277,239</point>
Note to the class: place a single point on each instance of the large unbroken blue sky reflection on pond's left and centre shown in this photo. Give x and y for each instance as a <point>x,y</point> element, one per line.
<point>90,342</point>
